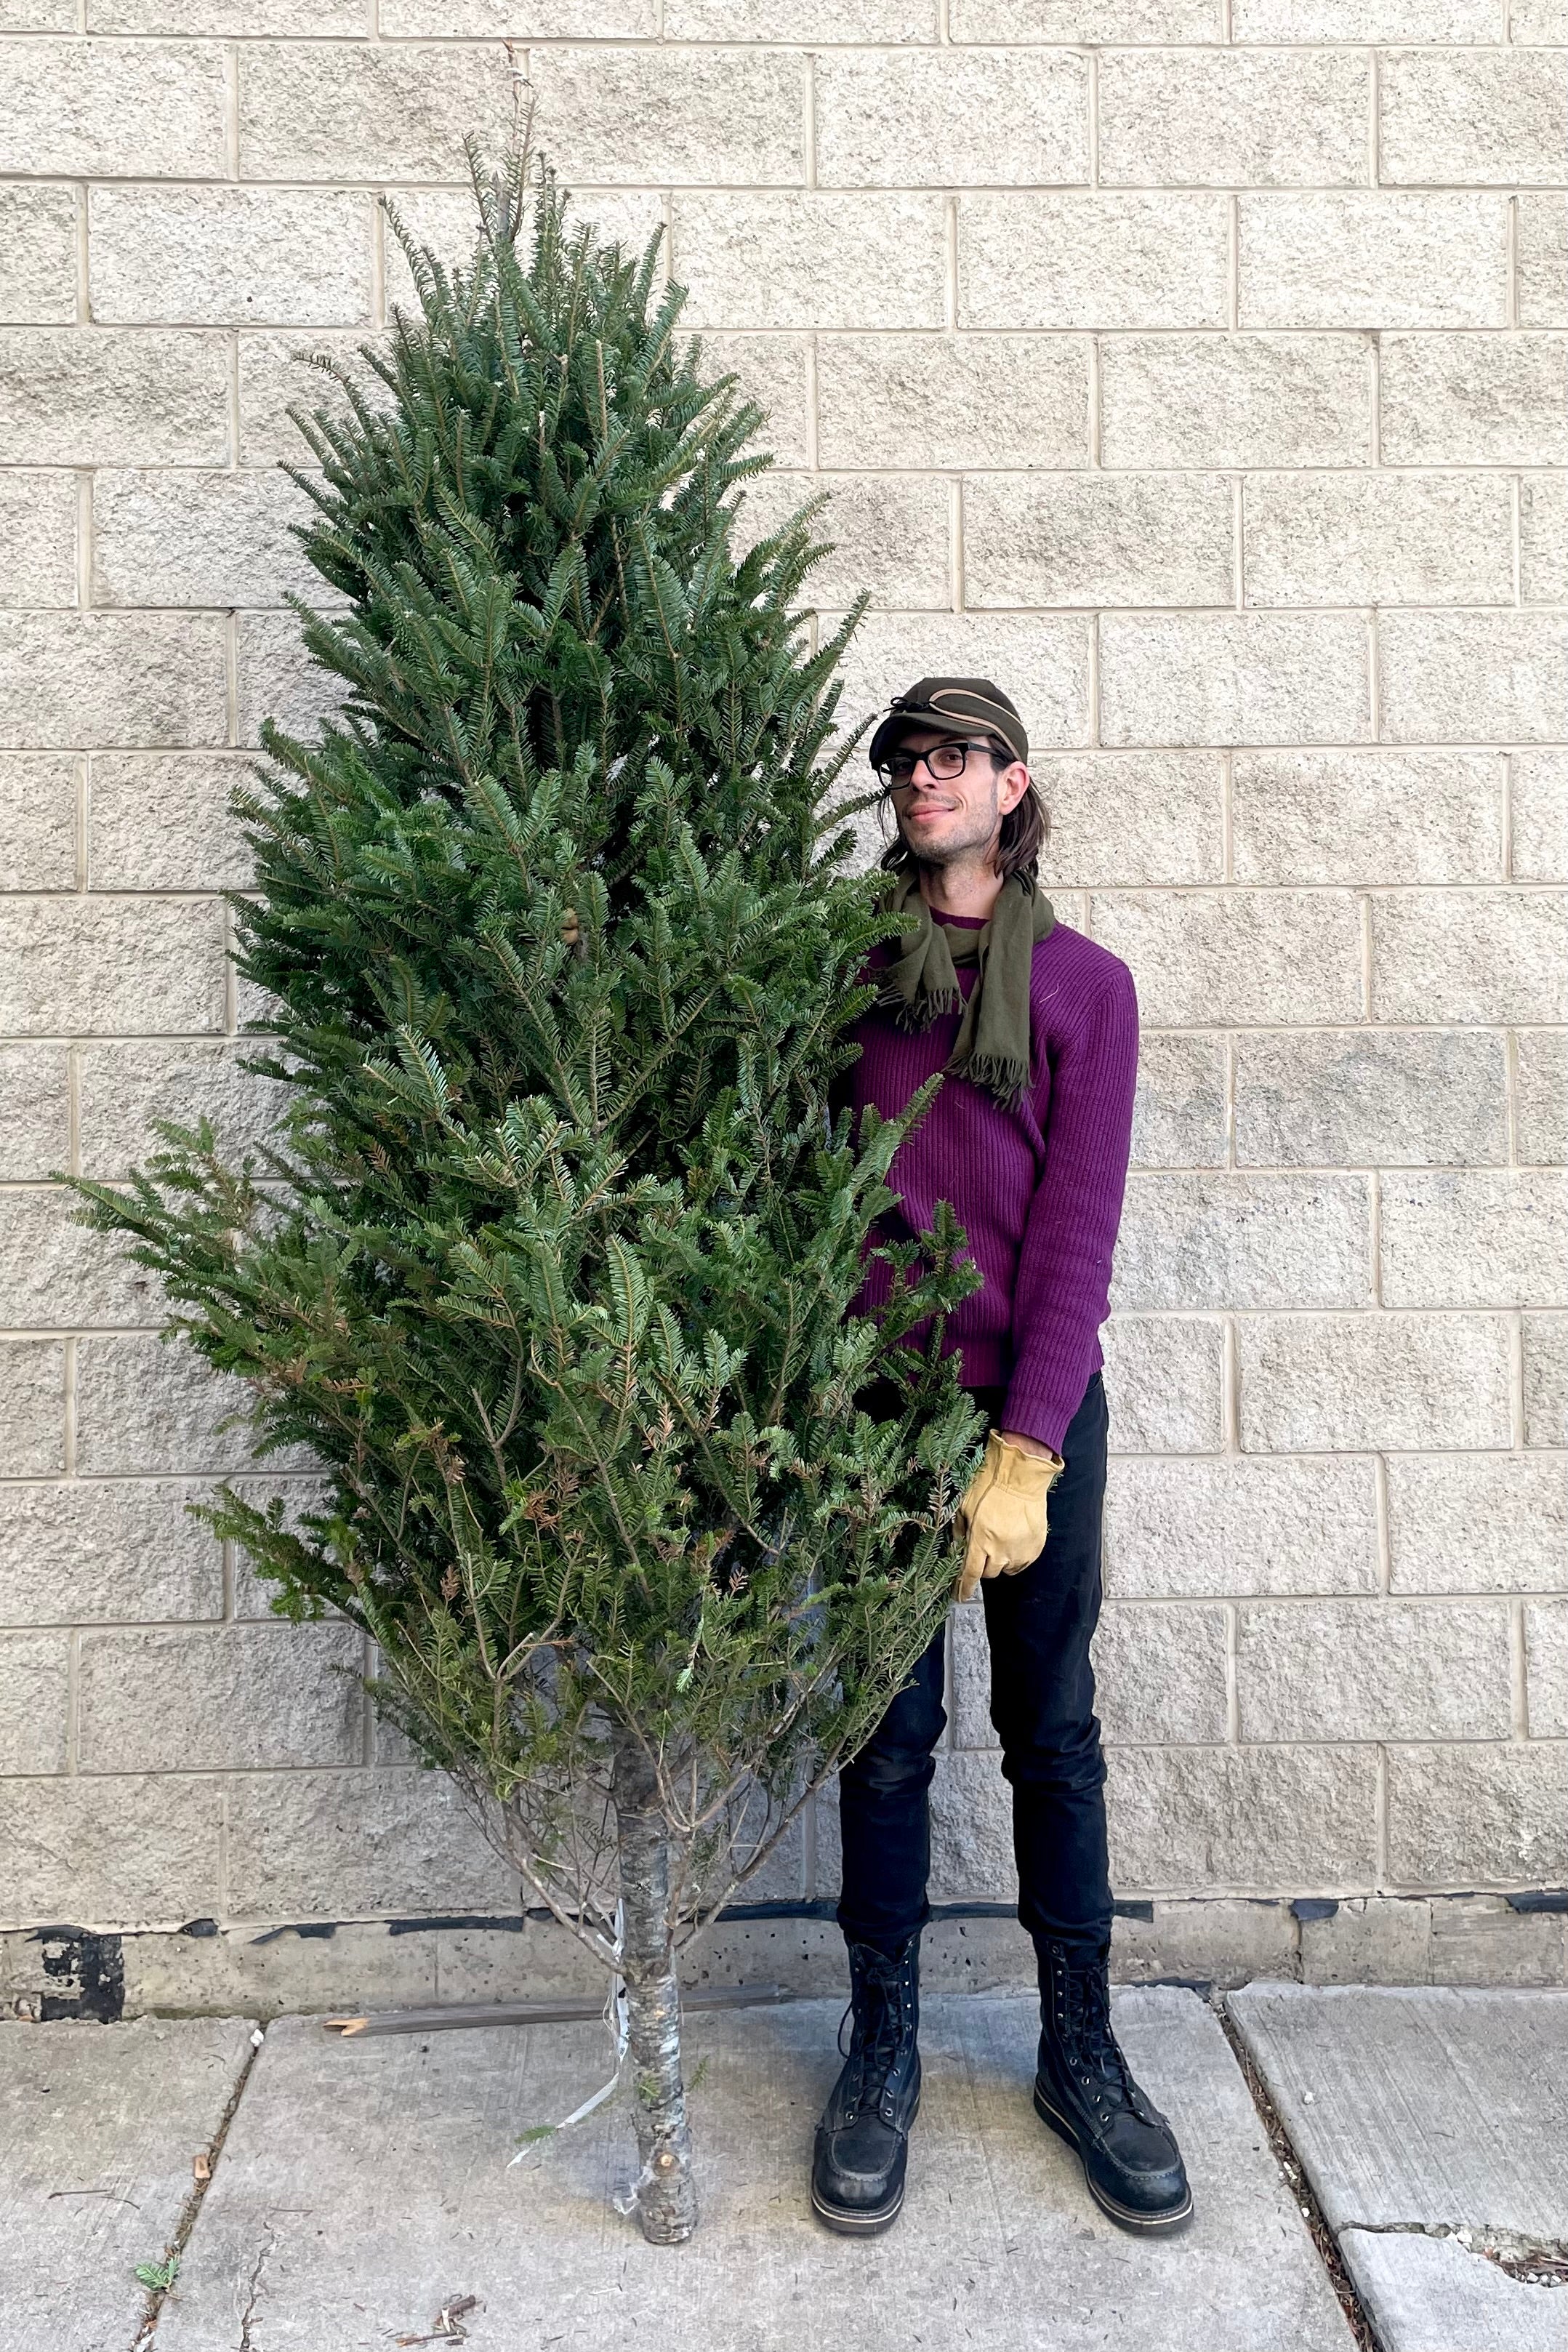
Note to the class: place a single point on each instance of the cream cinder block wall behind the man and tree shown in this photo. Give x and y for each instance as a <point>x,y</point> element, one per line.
<point>1193,368</point>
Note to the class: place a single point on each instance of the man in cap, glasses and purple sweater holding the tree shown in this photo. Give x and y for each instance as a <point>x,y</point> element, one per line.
<point>1028,1140</point>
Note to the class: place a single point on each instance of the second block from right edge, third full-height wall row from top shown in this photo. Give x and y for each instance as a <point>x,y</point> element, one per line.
<point>1235,401</point>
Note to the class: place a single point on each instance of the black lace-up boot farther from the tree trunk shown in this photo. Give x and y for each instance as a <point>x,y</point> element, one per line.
<point>1085,2090</point>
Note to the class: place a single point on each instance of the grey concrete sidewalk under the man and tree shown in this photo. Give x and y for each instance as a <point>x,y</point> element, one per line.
<point>361,2189</point>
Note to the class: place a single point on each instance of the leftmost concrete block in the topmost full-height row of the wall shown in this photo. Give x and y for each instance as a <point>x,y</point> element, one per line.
<point>123,112</point>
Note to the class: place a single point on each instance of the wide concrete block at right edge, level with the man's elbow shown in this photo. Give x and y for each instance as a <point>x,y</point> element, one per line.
<point>1475,1238</point>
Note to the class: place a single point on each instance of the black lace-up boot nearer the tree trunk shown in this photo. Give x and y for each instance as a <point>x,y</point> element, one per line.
<point>864,2139</point>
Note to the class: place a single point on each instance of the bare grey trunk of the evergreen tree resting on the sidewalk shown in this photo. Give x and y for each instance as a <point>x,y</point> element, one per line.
<point>666,2191</point>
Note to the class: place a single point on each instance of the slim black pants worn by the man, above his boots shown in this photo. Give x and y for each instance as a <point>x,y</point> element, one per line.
<point>1043,1706</point>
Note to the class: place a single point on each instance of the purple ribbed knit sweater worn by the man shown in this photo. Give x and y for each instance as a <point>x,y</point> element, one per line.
<point>1036,1189</point>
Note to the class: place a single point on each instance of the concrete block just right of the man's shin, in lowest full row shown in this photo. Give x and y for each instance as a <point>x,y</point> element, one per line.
<point>1240,1819</point>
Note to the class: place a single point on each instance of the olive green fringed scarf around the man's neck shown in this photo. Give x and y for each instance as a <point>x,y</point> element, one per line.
<point>920,982</point>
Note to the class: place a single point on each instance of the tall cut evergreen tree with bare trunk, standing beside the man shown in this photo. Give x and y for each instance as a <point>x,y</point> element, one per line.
<point>556,1252</point>
